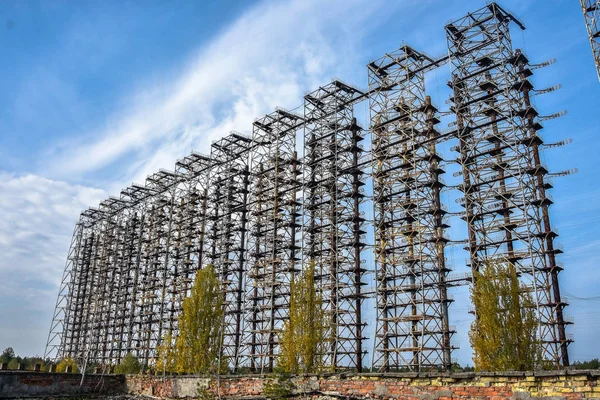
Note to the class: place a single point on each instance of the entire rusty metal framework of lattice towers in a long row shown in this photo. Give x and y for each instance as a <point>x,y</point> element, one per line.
<point>260,209</point>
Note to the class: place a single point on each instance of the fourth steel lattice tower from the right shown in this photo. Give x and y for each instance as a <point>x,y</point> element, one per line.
<point>275,226</point>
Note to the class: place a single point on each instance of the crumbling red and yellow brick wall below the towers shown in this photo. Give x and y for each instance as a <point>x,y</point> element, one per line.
<point>417,386</point>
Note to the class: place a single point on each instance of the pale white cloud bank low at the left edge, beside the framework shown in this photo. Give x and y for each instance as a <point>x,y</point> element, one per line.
<point>37,217</point>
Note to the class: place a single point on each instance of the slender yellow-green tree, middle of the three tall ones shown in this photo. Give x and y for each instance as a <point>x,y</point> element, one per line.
<point>303,333</point>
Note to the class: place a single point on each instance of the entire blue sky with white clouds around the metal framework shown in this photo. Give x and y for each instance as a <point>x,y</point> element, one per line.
<point>96,95</point>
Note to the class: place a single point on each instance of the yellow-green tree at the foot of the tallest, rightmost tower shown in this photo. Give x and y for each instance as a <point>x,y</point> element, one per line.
<point>503,335</point>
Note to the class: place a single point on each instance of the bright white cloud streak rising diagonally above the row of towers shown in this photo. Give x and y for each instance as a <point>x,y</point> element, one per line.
<point>269,57</point>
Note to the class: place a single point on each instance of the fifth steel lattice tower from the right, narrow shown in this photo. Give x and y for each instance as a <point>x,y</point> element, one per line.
<point>227,231</point>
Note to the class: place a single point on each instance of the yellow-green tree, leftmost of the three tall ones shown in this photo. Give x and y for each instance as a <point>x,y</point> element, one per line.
<point>197,347</point>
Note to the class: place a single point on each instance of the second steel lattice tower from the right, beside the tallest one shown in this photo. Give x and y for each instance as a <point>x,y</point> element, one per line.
<point>412,301</point>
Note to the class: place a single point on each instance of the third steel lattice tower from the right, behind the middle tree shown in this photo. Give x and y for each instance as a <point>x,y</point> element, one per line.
<point>333,231</point>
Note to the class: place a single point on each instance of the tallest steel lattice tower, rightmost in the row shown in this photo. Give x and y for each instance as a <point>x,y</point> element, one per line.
<point>504,188</point>
